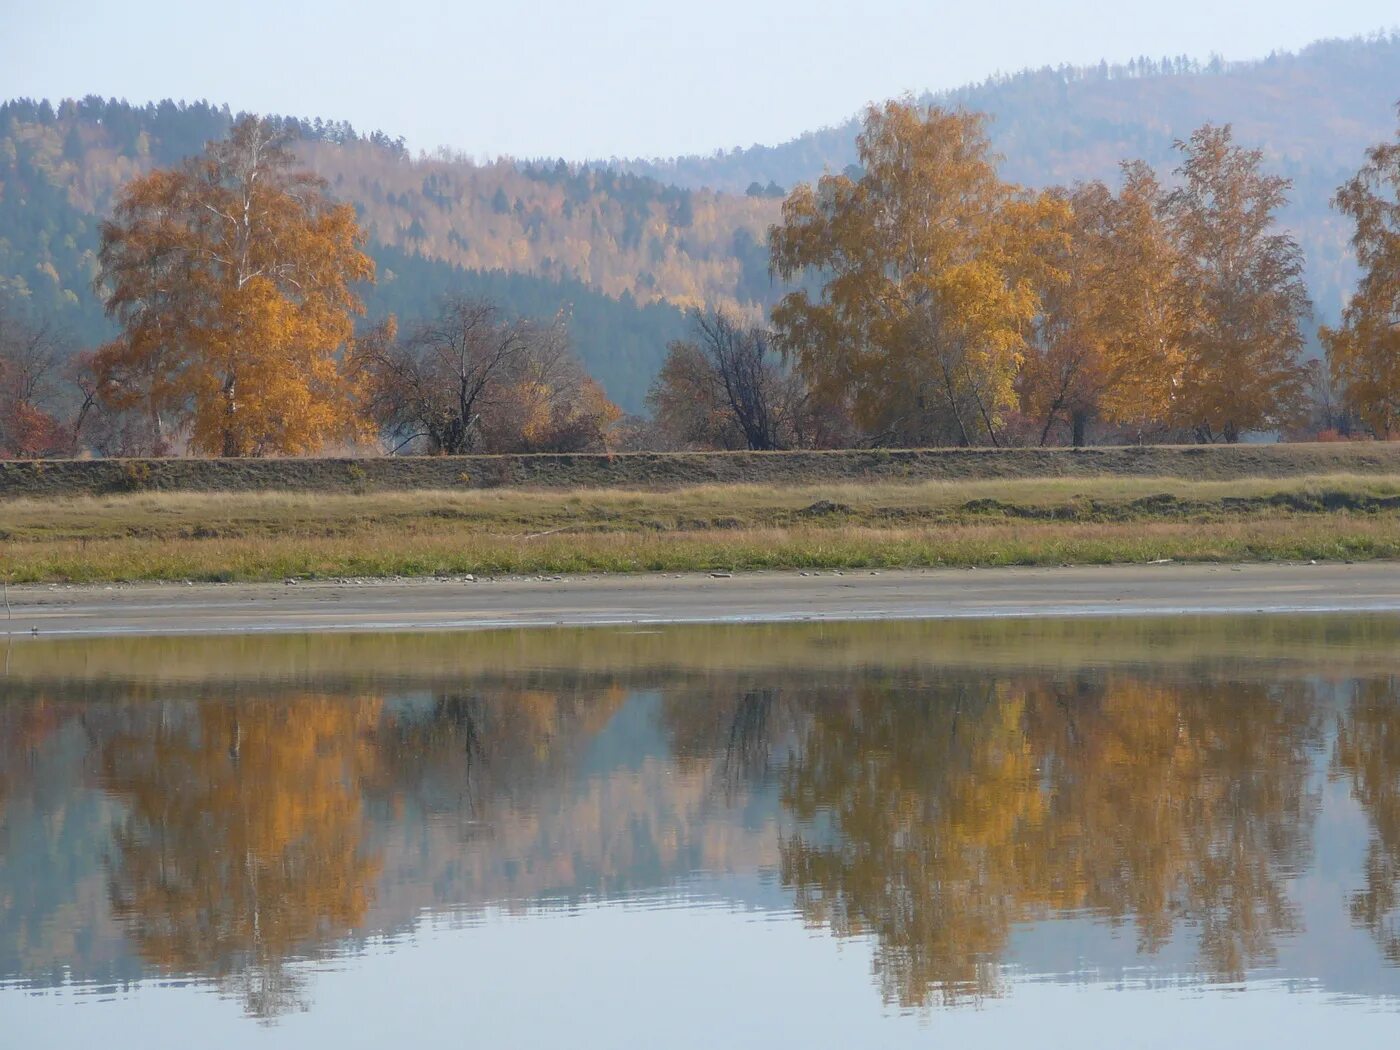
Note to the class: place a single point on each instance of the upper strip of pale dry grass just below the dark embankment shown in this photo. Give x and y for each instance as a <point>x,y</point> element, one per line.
<point>169,514</point>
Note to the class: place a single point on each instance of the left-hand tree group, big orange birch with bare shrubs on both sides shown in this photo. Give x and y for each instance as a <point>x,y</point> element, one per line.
<point>234,282</point>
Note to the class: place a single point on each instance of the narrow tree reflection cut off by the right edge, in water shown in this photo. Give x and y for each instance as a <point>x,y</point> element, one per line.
<point>1368,754</point>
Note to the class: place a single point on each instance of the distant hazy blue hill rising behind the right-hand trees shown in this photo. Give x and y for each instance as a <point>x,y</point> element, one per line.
<point>1314,114</point>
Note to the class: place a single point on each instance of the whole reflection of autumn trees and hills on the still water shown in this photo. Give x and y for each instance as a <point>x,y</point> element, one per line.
<point>934,808</point>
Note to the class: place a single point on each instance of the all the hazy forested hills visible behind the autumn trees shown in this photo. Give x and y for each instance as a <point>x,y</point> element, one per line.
<point>625,247</point>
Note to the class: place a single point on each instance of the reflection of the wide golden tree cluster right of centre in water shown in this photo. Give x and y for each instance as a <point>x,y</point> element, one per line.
<point>937,815</point>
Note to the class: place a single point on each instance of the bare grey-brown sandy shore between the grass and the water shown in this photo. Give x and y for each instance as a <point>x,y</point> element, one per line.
<point>761,597</point>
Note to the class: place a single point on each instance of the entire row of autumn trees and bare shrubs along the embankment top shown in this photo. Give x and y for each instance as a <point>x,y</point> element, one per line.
<point>933,303</point>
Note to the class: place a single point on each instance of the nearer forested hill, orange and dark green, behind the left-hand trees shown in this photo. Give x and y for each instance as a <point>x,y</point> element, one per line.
<point>619,254</point>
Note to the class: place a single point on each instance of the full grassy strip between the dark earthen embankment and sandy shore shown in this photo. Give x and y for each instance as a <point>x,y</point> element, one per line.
<point>212,537</point>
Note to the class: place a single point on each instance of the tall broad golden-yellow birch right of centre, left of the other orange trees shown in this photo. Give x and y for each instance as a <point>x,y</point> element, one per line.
<point>929,279</point>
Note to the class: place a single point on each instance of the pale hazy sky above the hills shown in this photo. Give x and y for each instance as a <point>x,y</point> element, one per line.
<point>593,80</point>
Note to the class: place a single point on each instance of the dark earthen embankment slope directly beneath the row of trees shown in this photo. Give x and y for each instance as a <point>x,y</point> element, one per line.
<point>670,471</point>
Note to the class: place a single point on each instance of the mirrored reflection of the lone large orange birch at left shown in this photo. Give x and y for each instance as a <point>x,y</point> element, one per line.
<point>243,843</point>
